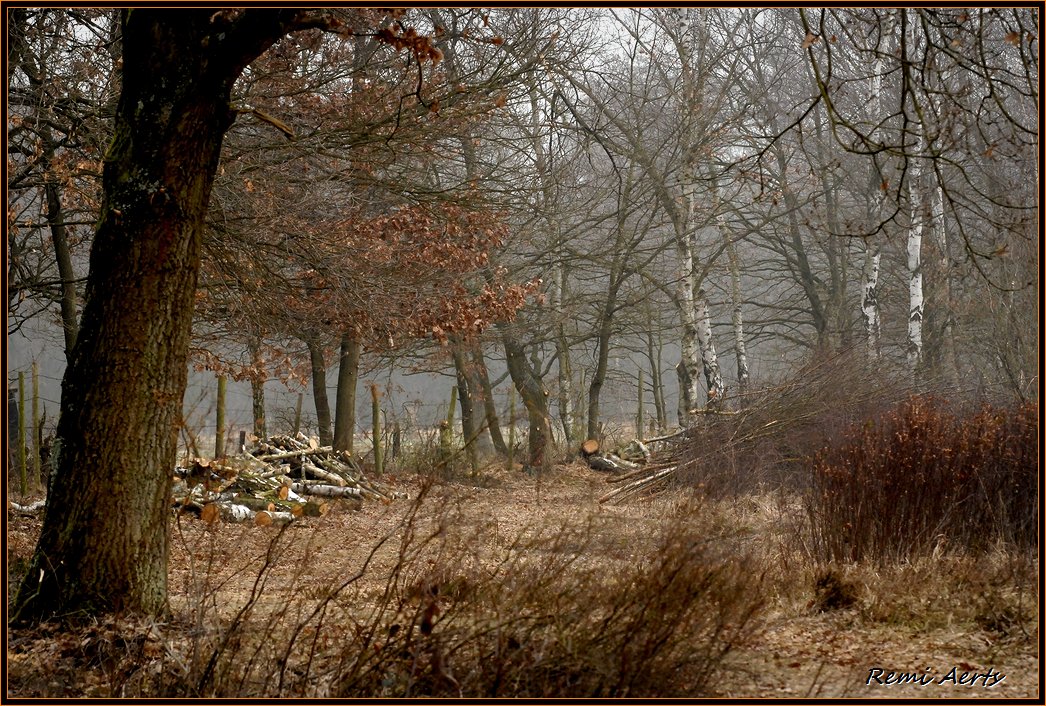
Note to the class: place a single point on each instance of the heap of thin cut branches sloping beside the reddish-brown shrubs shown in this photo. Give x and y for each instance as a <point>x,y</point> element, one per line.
<point>770,436</point>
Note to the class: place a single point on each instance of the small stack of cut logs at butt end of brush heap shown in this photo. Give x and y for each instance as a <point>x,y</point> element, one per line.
<point>634,469</point>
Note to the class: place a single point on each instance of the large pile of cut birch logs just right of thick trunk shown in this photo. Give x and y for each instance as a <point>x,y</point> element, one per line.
<point>278,482</point>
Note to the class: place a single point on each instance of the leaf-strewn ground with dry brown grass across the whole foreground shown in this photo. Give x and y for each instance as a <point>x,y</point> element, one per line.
<point>527,587</point>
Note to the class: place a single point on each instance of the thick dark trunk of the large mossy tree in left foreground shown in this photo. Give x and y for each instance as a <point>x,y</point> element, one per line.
<point>104,542</point>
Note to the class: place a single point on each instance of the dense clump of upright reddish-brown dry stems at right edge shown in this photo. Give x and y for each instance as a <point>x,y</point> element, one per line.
<point>918,479</point>
